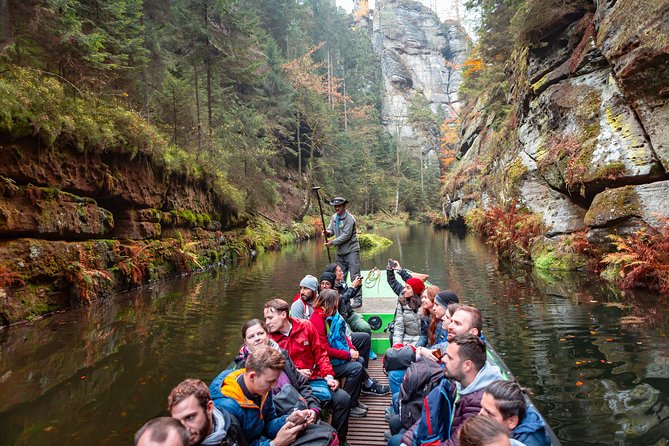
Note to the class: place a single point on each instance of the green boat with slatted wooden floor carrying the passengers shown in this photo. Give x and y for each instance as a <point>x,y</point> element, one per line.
<point>378,309</point>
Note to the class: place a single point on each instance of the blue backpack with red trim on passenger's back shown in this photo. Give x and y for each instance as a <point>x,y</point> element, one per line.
<point>436,418</point>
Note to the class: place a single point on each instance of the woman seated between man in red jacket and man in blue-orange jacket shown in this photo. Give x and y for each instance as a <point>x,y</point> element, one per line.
<point>255,335</point>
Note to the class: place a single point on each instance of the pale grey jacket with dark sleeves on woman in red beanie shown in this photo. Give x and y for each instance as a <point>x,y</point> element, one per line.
<point>407,317</point>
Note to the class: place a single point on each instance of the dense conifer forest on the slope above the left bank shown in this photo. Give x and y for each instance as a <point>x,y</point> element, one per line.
<point>229,92</point>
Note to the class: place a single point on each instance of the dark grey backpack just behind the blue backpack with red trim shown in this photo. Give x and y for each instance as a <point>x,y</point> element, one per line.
<point>420,378</point>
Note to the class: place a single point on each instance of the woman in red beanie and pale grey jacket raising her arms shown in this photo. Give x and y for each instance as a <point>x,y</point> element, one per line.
<point>406,329</point>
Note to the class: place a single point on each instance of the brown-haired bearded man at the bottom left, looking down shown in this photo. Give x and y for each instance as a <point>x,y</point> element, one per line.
<point>191,404</point>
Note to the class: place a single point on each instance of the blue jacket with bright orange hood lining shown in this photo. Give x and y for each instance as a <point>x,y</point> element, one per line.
<point>259,424</point>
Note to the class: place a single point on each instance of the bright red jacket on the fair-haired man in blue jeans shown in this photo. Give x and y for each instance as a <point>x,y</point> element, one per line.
<point>305,349</point>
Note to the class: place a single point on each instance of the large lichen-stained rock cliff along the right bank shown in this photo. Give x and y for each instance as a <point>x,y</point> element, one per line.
<point>586,145</point>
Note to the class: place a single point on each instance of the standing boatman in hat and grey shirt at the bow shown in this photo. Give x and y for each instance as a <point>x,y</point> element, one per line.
<point>342,227</point>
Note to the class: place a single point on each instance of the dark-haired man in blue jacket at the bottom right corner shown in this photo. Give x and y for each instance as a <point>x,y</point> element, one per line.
<point>504,402</point>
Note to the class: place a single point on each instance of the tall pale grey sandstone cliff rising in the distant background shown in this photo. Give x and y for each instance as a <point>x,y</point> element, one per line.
<point>419,56</point>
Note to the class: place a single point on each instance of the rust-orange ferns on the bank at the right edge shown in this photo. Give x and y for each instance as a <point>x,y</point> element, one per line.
<point>642,259</point>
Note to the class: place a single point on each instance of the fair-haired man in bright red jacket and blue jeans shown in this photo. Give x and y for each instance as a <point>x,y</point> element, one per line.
<point>300,339</point>
